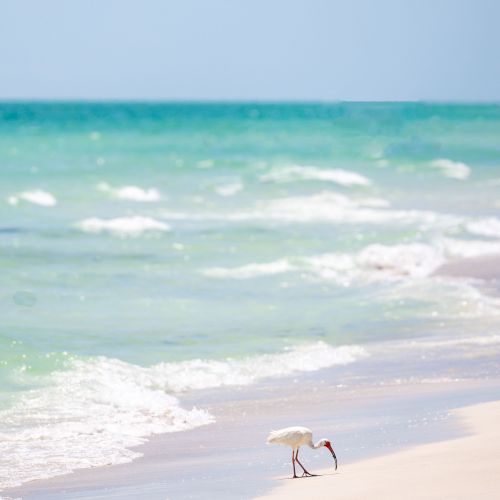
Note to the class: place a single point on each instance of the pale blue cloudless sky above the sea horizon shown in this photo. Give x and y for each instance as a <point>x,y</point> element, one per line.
<point>250,50</point>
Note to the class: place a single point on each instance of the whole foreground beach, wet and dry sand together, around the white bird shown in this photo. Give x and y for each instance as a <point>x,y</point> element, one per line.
<point>230,459</point>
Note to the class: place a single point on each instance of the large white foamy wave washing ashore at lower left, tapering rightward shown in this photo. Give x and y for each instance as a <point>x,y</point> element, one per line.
<point>92,413</point>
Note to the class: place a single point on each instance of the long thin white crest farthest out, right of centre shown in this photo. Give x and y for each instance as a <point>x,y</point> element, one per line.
<point>300,172</point>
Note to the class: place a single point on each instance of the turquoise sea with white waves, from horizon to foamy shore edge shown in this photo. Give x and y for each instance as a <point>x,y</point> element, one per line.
<point>151,249</point>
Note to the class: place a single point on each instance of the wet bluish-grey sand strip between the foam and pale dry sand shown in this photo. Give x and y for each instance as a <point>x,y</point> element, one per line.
<point>229,458</point>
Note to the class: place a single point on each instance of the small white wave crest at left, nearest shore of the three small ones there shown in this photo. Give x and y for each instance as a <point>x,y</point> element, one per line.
<point>123,226</point>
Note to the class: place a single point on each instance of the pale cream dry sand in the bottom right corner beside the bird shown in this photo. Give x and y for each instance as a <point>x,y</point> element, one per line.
<point>467,467</point>
